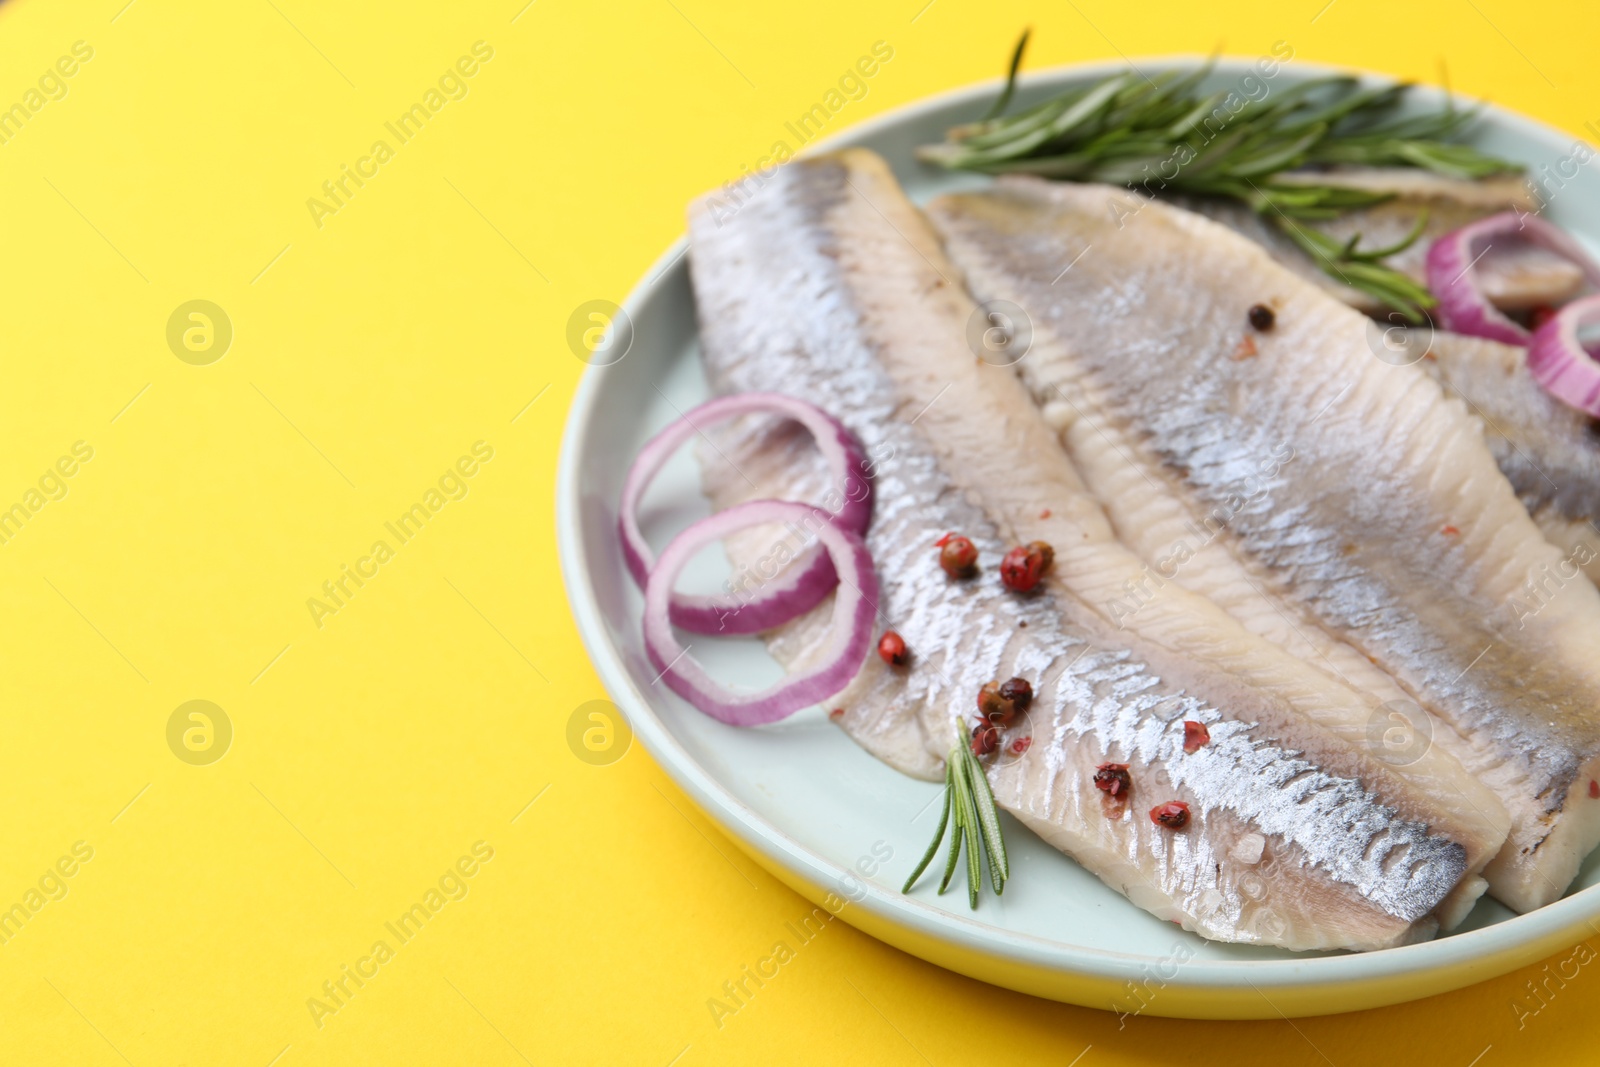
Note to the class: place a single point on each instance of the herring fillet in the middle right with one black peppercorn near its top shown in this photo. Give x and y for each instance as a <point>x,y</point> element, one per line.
<point>1394,530</point>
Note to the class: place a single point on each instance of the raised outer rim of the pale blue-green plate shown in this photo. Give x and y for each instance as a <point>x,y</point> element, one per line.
<point>1041,965</point>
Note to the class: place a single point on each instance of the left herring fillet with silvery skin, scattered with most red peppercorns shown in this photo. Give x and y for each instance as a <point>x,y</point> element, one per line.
<point>828,286</point>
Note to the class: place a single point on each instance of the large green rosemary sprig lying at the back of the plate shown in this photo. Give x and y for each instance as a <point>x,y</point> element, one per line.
<point>1164,134</point>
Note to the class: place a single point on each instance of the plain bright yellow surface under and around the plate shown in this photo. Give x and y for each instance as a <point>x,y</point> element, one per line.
<point>377,751</point>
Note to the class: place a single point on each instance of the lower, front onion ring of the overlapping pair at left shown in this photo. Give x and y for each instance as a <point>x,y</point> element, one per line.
<point>850,634</point>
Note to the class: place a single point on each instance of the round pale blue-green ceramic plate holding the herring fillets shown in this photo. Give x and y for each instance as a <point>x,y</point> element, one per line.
<point>844,829</point>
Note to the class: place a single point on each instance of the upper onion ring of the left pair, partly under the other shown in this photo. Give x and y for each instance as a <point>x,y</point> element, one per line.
<point>810,577</point>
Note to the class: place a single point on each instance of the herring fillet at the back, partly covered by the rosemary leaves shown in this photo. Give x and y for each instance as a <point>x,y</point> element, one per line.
<point>1514,278</point>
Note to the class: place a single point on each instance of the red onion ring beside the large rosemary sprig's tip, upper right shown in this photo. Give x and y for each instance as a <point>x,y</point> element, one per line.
<point>1452,265</point>
